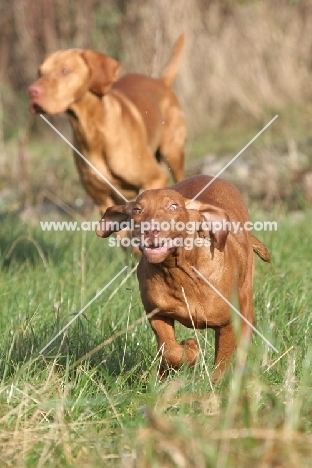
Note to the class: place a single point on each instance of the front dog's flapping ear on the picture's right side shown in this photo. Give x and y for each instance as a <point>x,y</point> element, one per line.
<point>215,220</point>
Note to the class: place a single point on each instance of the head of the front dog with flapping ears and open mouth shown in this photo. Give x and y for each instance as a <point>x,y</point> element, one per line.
<point>163,221</point>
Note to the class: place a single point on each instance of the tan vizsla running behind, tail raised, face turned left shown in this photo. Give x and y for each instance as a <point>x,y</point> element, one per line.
<point>124,127</point>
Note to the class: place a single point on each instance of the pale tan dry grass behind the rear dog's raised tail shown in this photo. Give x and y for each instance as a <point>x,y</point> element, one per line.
<point>241,58</point>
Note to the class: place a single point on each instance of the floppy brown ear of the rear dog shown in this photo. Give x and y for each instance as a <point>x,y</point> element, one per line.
<point>104,71</point>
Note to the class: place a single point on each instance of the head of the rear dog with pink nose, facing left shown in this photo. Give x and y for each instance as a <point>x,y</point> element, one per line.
<point>66,75</point>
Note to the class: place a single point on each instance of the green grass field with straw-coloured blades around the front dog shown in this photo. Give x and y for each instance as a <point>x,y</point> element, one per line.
<point>110,409</point>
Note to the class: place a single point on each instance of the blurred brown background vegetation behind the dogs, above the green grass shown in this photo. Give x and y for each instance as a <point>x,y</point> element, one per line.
<point>244,61</point>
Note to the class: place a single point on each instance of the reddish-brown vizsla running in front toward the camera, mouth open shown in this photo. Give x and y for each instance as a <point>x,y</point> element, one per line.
<point>214,246</point>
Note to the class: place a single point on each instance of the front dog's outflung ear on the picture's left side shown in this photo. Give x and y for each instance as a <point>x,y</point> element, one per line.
<point>114,219</point>
